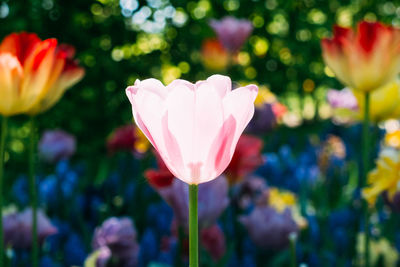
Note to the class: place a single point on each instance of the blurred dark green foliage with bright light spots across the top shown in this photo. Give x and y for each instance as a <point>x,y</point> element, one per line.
<point>120,41</point>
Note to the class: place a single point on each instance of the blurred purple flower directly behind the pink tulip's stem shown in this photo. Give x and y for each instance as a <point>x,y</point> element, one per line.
<point>213,199</point>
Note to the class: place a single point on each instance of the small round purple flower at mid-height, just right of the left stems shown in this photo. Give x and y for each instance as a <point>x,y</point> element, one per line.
<point>56,145</point>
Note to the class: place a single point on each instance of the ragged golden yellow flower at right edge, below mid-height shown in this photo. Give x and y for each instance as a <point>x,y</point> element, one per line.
<point>385,177</point>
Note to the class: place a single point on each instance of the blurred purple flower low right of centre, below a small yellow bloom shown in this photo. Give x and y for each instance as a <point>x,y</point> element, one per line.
<point>268,228</point>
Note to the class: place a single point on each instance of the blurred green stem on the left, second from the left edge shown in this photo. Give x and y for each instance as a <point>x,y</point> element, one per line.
<point>32,186</point>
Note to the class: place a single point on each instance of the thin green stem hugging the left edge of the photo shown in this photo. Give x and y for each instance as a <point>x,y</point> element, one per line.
<point>2,161</point>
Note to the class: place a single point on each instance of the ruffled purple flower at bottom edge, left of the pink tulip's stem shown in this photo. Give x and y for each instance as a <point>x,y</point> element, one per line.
<point>117,236</point>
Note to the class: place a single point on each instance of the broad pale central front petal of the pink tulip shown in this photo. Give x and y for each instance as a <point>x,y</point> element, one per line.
<point>194,115</point>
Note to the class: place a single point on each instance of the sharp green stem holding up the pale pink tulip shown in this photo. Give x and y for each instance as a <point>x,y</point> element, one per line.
<point>193,227</point>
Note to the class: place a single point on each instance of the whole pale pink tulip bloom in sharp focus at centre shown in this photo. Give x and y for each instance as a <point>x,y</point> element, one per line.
<point>194,127</point>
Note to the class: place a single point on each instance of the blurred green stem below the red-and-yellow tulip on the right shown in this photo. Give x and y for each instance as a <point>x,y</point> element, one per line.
<point>365,162</point>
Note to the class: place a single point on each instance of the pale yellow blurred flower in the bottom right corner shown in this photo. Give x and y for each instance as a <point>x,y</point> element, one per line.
<point>378,248</point>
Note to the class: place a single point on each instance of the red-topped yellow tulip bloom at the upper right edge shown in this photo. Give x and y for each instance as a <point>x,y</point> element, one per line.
<point>366,59</point>
